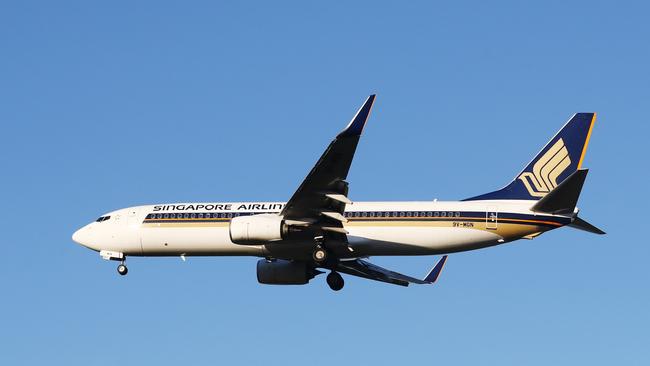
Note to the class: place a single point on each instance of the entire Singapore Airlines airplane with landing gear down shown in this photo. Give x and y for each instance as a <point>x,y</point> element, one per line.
<point>320,228</point>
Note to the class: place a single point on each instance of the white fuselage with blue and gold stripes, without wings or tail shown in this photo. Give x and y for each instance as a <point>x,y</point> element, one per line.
<point>375,228</point>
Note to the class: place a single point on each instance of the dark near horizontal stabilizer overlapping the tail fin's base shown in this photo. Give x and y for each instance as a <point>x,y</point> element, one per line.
<point>563,198</point>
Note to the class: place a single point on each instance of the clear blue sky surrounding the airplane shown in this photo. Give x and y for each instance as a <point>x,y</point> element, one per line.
<point>121,103</point>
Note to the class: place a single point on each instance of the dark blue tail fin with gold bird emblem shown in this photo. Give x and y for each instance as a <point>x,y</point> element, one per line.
<point>559,159</point>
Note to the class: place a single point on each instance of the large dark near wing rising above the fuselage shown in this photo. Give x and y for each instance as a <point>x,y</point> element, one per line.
<point>319,202</point>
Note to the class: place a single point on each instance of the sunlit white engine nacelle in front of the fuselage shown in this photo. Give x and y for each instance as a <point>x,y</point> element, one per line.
<point>256,229</point>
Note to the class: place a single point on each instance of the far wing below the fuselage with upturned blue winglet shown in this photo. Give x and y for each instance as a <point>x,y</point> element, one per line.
<point>370,271</point>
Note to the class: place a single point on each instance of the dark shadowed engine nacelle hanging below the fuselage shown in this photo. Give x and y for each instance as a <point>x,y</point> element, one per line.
<point>282,272</point>
